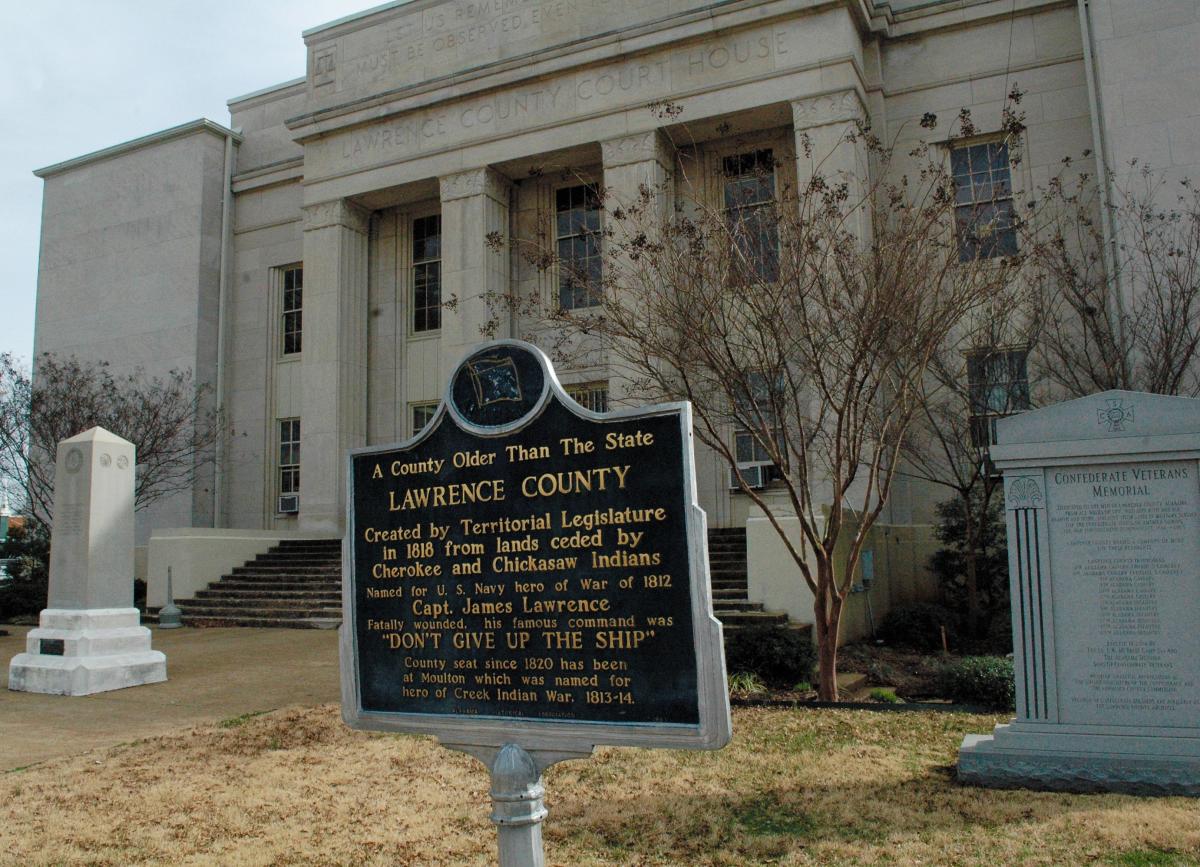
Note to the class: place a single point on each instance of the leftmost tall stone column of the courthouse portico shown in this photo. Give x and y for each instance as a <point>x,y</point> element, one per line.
<point>335,357</point>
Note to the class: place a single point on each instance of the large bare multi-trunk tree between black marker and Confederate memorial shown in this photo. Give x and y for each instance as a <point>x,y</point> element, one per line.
<point>776,318</point>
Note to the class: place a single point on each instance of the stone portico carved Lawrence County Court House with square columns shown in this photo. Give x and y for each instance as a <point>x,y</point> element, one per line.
<point>484,143</point>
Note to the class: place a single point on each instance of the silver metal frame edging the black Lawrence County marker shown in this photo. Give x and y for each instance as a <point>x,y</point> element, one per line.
<point>551,740</point>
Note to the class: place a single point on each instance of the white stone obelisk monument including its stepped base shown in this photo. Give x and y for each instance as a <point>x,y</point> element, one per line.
<point>91,638</point>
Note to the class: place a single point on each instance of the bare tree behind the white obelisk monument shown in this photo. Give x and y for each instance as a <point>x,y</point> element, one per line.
<point>167,420</point>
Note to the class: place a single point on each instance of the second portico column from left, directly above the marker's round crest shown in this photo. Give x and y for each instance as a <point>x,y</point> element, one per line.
<point>476,262</point>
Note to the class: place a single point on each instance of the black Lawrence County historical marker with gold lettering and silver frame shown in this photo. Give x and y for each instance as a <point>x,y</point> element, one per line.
<point>527,572</point>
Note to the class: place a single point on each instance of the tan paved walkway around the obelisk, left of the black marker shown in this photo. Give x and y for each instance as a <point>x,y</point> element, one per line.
<point>212,675</point>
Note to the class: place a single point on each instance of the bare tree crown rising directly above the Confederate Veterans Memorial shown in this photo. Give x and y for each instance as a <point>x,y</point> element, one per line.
<point>1120,285</point>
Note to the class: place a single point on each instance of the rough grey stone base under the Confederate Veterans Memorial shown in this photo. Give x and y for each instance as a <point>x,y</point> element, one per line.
<point>1013,758</point>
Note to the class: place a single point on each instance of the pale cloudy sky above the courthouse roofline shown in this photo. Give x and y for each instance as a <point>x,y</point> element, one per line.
<point>85,75</point>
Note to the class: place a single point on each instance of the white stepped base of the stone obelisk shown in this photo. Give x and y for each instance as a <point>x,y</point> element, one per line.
<point>80,653</point>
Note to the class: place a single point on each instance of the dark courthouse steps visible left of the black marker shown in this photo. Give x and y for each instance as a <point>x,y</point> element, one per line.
<point>298,584</point>
